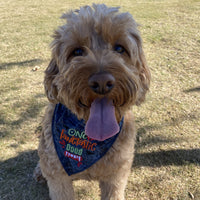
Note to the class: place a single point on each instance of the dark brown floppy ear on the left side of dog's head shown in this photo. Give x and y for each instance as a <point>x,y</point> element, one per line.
<point>49,84</point>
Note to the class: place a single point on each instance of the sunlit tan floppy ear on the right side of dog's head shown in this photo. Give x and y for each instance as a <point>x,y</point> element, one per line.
<point>141,64</point>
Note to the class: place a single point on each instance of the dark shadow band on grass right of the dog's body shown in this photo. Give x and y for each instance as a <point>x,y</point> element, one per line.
<point>164,158</point>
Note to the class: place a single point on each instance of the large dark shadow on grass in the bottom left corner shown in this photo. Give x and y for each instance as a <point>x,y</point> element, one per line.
<point>16,178</point>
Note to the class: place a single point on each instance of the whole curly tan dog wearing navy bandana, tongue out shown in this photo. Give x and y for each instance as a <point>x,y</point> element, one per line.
<point>97,72</point>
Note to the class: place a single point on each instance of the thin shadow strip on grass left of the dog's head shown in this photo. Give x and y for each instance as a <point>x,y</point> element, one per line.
<point>21,64</point>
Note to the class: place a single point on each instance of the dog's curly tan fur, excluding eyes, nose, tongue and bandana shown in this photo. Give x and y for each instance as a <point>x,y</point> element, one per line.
<point>96,30</point>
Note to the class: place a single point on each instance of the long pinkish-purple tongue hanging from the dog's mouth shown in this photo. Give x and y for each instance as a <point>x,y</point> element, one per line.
<point>102,123</point>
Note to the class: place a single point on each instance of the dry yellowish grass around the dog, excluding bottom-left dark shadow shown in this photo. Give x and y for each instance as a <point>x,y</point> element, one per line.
<point>167,159</point>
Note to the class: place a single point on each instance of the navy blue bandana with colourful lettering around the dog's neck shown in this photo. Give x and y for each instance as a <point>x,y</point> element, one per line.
<point>75,150</point>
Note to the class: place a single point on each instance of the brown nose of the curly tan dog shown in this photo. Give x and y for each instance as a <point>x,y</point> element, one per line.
<point>101,83</point>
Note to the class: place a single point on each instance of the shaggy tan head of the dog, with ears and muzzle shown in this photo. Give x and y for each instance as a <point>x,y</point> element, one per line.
<point>97,60</point>
